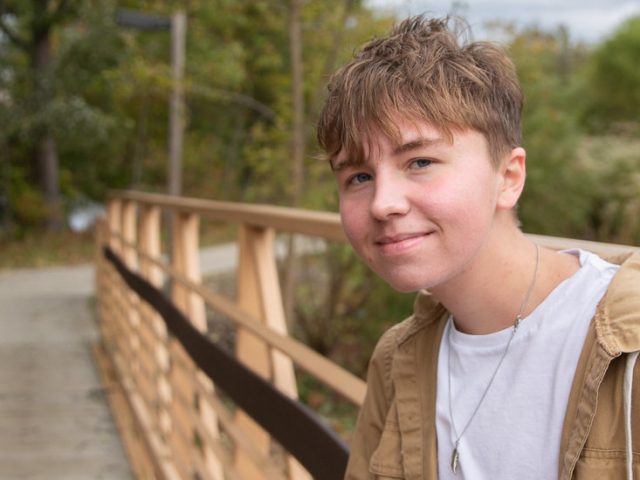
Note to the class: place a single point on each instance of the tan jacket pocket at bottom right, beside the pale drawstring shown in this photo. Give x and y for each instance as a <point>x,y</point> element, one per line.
<point>600,464</point>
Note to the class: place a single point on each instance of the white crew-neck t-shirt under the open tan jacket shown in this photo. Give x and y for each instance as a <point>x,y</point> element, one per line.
<point>516,432</point>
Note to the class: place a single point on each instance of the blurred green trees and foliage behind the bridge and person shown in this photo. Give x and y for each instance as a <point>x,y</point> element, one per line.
<point>84,109</point>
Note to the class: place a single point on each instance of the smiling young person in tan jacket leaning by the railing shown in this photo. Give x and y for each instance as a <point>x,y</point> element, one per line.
<point>518,361</point>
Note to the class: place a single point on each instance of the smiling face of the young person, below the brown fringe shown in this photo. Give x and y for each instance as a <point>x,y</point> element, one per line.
<point>419,212</point>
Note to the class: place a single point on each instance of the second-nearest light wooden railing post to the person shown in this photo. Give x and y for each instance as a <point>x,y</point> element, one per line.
<point>186,261</point>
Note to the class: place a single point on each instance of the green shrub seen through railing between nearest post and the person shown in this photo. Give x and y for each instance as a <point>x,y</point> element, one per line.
<point>342,307</point>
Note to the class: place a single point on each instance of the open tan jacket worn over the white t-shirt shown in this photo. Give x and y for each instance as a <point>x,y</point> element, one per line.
<point>396,432</point>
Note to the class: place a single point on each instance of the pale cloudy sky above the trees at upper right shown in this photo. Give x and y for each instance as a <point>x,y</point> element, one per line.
<point>588,21</point>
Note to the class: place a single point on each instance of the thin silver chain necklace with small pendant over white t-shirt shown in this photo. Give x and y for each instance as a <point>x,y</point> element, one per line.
<point>455,455</point>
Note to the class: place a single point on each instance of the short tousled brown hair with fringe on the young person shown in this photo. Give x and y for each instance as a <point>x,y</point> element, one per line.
<point>422,72</point>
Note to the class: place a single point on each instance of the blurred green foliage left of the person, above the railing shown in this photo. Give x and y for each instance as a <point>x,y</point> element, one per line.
<point>110,85</point>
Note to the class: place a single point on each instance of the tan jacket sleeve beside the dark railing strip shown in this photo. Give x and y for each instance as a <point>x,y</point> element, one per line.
<point>373,413</point>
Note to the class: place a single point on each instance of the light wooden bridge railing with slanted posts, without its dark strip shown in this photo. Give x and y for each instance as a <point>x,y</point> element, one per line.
<point>174,421</point>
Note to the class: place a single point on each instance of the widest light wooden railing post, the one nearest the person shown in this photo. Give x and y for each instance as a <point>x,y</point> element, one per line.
<point>259,294</point>
